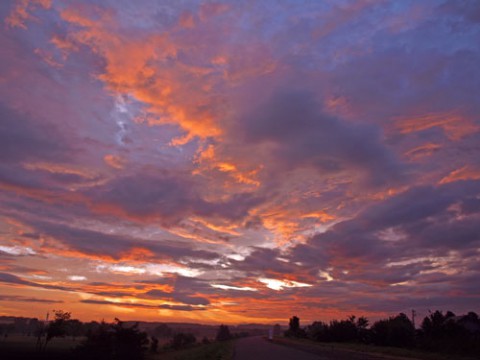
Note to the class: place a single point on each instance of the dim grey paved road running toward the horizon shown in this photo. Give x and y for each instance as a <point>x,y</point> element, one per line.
<point>253,348</point>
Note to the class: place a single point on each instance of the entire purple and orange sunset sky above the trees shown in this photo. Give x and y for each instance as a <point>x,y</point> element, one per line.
<point>239,161</point>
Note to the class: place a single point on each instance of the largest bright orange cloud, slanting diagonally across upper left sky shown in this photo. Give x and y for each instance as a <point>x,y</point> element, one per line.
<point>133,66</point>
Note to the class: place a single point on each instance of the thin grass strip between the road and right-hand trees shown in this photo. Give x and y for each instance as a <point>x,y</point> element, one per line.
<point>388,352</point>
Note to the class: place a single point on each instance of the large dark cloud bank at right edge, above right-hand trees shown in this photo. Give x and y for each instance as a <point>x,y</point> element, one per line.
<point>403,236</point>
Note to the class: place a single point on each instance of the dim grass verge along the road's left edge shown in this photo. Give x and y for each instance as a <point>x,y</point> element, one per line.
<point>214,351</point>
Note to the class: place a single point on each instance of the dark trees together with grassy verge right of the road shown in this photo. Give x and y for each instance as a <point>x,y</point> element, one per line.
<point>440,336</point>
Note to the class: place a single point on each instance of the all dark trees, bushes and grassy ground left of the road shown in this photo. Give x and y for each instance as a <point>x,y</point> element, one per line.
<point>66,338</point>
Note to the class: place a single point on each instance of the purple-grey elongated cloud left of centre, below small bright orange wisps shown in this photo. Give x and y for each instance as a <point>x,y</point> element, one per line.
<point>171,195</point>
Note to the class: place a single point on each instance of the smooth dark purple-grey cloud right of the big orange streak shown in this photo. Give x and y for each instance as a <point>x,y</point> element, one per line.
<point>303,134</point>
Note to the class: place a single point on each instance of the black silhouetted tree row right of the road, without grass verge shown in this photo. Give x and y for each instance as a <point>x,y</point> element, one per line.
<point>438,332</point>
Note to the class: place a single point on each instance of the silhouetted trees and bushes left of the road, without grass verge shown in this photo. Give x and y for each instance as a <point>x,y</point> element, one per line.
<point>106,341</point>
